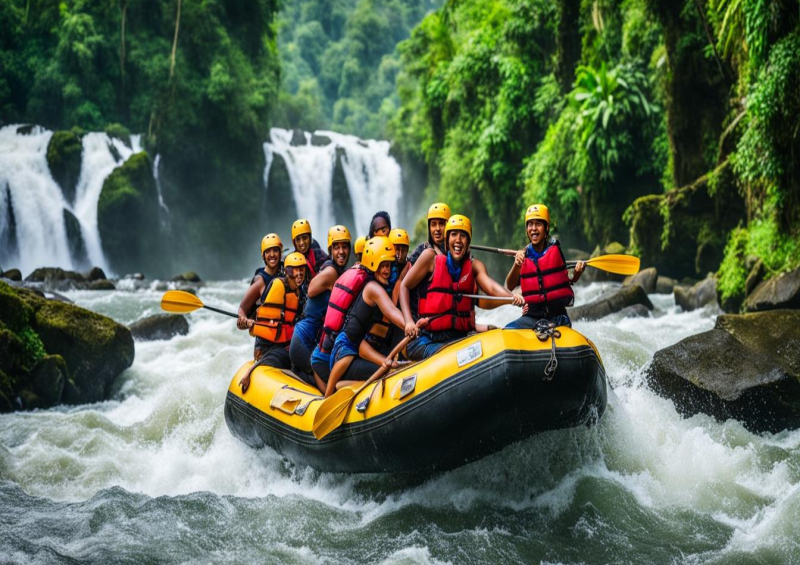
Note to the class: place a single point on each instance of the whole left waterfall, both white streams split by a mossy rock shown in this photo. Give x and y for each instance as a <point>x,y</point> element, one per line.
<point>33,231</point>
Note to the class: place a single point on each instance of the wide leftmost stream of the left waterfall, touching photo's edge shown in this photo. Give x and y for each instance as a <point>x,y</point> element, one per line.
<point>31,203</point>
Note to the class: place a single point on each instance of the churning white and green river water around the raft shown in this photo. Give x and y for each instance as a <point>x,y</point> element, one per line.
<point>154,476</point>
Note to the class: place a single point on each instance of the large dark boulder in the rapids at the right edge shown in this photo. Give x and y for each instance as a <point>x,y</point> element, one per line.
<point>747,368</point>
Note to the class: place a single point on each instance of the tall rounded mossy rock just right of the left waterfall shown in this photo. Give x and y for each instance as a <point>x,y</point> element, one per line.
<point>128,215</point>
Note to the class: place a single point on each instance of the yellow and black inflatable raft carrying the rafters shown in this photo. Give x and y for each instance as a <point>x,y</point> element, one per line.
<point>469,400</point>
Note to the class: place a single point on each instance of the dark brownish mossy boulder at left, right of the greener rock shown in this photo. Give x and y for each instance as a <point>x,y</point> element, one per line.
<point>95,348</point>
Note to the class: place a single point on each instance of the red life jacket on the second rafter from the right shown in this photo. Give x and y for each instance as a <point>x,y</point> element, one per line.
<point>441,298</point>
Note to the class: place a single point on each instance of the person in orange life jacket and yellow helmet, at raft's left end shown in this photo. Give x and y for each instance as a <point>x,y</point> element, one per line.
<point>273,325</point>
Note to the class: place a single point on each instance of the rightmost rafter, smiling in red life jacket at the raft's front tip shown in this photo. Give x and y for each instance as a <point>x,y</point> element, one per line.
<point>541,270</point>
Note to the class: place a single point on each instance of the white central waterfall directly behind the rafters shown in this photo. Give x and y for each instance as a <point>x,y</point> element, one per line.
<point>373,176</point>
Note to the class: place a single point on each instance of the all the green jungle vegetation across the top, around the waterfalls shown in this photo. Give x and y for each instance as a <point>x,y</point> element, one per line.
<point>670,127</point>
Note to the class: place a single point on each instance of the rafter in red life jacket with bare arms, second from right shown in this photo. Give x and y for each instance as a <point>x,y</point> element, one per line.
<point>448,278</point>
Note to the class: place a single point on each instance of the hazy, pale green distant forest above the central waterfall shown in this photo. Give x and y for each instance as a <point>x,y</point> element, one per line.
<point>339,62</point>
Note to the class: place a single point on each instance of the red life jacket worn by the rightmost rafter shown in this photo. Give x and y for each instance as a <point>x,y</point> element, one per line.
<point>545,281</point>
